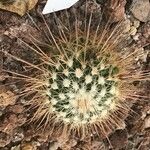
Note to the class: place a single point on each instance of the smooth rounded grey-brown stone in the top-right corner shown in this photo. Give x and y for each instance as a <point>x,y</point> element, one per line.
<point>141,10</point>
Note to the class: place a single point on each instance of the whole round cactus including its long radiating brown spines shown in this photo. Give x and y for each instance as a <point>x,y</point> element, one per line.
<point>85,86</point>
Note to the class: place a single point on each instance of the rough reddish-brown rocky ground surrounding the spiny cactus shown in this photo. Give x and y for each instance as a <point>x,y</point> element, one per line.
<point>15,134</point>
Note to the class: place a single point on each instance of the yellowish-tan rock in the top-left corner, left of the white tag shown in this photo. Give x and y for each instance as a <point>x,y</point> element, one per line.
<point>18,6</point>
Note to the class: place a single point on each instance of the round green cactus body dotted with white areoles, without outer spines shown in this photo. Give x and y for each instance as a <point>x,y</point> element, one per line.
<point>82,88</point>
